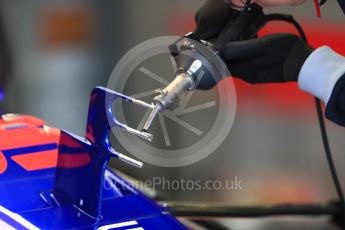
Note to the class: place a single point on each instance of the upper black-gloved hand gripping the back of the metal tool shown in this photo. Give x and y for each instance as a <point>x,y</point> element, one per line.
<point>219,24</point>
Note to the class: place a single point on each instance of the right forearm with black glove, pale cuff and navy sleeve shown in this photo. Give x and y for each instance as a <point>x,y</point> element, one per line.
<point>287,58</point>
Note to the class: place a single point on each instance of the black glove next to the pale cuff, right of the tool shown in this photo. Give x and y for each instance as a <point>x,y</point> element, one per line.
<point>272,58</point>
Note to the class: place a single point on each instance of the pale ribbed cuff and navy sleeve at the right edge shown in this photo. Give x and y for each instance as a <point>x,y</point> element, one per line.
<point>323,75</point>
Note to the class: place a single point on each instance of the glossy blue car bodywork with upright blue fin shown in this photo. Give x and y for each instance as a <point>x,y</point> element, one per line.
<point>80,193</point>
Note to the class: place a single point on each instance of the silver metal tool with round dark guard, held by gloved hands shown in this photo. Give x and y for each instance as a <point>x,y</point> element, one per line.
<point>194,58</point>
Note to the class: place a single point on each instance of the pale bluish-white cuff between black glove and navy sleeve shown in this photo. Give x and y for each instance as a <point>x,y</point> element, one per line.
<point>320,72</point>
